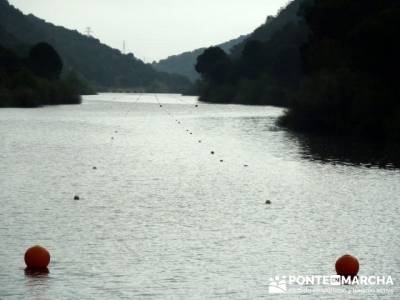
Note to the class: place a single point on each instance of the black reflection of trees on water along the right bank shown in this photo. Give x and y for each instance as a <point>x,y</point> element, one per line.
<point>347,151</point>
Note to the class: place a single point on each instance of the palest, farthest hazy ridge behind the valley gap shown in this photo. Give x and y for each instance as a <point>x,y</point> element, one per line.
<point>184,63</point>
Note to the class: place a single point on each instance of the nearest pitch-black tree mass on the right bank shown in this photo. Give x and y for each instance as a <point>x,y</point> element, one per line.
<point>351,62</point>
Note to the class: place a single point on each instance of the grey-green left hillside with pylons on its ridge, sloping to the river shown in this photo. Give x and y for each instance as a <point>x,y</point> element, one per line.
<point>101,66</point>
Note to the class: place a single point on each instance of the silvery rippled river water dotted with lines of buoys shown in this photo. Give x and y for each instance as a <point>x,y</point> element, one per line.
<point>163,218</point>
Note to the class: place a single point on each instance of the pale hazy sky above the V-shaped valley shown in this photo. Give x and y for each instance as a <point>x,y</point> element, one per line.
<point>155,29</point>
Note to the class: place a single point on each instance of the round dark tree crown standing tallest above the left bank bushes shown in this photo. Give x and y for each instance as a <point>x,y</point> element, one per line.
<point>45,62</point>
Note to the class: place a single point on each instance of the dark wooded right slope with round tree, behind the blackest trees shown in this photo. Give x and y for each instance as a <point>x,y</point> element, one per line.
<point>266,68</point>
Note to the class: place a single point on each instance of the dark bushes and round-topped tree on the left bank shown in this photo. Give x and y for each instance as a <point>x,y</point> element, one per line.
<point>35,80</point>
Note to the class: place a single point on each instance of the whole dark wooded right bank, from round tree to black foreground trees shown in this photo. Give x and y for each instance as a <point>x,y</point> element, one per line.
<point>334,66</point>
